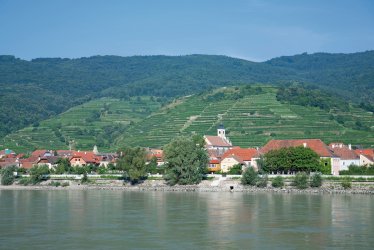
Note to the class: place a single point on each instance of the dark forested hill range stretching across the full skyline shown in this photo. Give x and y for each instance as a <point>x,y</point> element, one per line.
<point>34,90</point>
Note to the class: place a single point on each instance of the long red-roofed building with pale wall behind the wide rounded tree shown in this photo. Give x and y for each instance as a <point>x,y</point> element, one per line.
<point>318,146</point>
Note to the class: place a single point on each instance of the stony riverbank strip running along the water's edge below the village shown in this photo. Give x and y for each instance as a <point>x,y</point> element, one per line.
<point>205,186</point>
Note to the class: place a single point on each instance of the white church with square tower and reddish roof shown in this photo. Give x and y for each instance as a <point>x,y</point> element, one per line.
<point>219,143</point>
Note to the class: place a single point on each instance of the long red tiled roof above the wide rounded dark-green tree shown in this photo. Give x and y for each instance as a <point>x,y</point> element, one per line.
<point>314,144</point>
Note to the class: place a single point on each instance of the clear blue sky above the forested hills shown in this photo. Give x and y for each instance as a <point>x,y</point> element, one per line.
<point>250,29</point>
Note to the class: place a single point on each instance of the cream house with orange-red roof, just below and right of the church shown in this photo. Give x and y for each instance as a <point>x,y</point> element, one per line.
<point>237,155</point>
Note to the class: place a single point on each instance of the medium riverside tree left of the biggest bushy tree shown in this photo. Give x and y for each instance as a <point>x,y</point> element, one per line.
<point>132,162</point>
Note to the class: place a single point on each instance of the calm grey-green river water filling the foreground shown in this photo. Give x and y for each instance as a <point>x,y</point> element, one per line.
<point>98,219</point>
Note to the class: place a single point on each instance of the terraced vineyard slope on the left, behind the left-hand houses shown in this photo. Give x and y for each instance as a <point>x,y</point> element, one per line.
<point>94,123</point>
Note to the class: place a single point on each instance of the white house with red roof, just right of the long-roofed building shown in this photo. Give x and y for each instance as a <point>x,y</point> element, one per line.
<point>346,155</point>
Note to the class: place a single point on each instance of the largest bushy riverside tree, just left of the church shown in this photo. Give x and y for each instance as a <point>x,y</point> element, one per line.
<point>186,161</point>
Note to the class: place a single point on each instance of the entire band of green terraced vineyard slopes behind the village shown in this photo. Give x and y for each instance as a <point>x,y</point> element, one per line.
<point>251,120</point>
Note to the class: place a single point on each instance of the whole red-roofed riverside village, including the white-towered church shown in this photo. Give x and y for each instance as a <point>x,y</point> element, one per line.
<point>222,155</point>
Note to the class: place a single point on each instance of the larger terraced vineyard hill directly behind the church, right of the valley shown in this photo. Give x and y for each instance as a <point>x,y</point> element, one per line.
<point>250,122</point>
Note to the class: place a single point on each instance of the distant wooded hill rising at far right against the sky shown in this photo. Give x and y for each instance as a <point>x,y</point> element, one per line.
<point>350,75</point>
